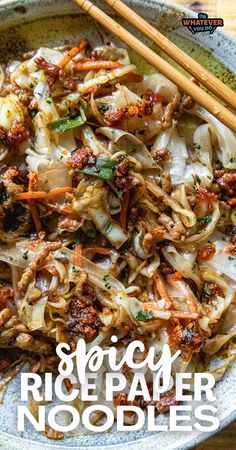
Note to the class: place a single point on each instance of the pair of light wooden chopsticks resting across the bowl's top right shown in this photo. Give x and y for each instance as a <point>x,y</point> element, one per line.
<point>195,69</point>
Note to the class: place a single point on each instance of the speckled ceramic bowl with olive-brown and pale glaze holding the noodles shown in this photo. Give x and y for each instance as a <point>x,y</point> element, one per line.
<point>29,24</point>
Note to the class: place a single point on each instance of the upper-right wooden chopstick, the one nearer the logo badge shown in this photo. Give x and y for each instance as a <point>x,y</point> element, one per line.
<point>189,64</point>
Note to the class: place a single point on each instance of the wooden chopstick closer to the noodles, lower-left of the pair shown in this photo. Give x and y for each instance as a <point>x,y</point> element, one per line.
<point>201,97</point>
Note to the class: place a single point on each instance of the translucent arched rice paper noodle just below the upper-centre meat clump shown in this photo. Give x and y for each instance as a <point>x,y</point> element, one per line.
<point>130,144</point>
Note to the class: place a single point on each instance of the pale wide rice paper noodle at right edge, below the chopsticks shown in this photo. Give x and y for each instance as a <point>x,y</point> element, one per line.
<point>225,137</point>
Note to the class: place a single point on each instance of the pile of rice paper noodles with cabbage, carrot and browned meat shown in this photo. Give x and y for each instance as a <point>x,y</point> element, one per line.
<point>118,215</point>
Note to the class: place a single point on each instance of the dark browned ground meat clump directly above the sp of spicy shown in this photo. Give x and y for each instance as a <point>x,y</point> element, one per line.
<point>85,319</point>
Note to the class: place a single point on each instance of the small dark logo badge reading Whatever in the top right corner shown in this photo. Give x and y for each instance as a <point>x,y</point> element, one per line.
<point>202,23</point>
